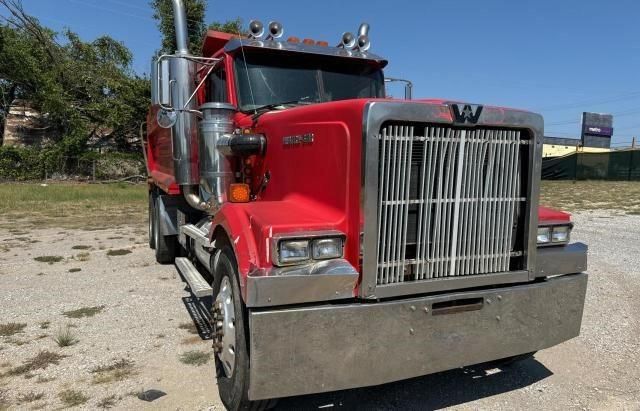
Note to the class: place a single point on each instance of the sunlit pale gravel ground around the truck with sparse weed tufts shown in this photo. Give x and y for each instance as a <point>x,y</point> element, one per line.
<point>140,320</point>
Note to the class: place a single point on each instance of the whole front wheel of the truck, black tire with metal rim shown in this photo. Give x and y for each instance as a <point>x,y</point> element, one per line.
<point>230,338</point>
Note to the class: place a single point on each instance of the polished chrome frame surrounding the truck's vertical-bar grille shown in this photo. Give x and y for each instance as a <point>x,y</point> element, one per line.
<point>376,113</point>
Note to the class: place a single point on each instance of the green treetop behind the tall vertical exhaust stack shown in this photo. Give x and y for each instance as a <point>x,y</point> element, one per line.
<point>163,13</point>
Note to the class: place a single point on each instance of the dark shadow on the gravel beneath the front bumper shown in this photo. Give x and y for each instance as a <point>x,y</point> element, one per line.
<point>436,391</point>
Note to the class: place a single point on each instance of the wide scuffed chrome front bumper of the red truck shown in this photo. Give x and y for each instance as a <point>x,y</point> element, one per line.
<point>332,347</point>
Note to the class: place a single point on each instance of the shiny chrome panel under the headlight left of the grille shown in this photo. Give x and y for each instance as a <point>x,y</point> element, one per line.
<point>315,282</point>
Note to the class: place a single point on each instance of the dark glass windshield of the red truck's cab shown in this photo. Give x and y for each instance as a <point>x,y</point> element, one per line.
<point>290,78</point>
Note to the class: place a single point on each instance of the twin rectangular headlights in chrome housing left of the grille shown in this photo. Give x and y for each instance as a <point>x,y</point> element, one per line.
<point>298,249</point>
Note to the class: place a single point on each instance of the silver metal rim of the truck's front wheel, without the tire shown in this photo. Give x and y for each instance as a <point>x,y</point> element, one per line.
<point>224,327</point>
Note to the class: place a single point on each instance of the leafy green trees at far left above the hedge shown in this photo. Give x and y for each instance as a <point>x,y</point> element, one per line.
<point>85,89</point>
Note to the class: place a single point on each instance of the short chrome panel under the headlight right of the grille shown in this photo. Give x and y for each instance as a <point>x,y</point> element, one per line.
<point>560,260</point>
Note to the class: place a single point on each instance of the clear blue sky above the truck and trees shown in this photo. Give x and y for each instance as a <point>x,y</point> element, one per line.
<point>555,57</point>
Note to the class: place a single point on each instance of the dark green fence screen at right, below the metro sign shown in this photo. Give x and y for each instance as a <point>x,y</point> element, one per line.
<point>614,165</point>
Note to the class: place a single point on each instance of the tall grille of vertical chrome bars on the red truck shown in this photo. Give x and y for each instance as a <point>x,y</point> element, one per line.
<point>449,201</point>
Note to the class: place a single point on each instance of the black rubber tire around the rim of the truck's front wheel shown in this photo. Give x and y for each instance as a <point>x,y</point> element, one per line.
<point>233,390</point>
